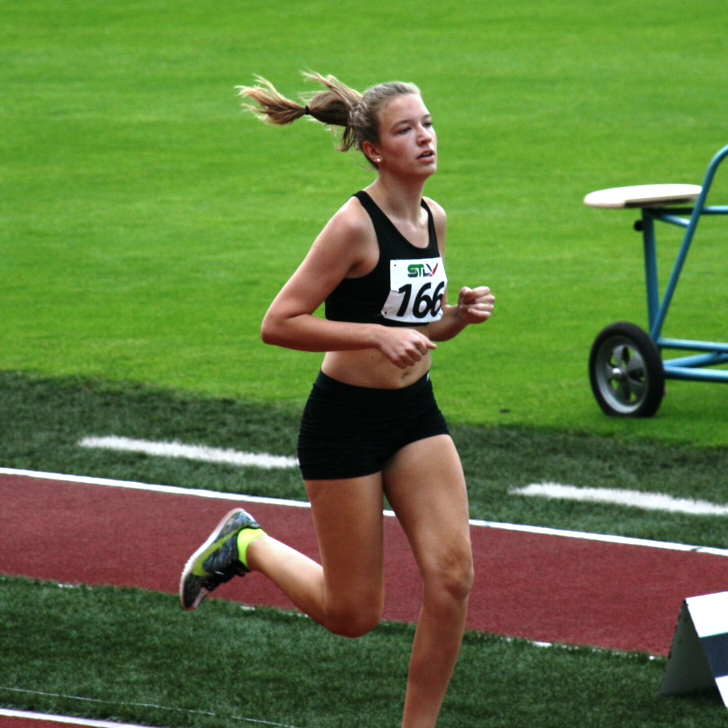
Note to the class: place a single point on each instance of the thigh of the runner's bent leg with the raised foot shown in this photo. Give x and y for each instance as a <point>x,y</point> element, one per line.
<point>348,519</point>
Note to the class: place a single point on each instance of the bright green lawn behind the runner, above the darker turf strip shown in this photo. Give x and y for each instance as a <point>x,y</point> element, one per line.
<point>147,223</point>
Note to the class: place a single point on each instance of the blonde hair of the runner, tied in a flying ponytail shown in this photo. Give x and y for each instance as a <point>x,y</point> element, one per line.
<point>336,106</point>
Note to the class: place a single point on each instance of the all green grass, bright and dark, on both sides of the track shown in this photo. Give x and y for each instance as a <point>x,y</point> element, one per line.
<point>146,224</point>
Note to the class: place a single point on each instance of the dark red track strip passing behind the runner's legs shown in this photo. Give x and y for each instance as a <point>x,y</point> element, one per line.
<point>537,586</point>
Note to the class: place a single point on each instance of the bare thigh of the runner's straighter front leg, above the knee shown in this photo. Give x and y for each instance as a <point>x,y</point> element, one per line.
<point>425,485</point>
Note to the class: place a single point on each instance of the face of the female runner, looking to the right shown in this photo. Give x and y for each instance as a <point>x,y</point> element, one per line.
<point>407,139</point>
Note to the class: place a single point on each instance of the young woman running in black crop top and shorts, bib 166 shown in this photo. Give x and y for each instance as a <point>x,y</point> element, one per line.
<point>371,427</point>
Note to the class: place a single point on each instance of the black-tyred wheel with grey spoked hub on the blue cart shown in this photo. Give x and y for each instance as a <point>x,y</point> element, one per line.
<point>626,371</point>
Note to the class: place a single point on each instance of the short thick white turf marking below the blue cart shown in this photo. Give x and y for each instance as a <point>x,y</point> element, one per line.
<point>614,496</point>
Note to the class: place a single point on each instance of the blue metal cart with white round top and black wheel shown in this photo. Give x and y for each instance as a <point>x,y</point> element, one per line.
<point>627,370</point>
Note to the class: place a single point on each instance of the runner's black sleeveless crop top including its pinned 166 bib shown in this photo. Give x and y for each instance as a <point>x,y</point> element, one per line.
<point>405,288</point>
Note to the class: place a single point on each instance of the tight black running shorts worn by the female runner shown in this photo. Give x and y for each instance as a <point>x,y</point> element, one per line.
<point>349,432</point>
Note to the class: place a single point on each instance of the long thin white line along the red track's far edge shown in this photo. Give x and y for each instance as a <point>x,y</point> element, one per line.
<point>476,523</point>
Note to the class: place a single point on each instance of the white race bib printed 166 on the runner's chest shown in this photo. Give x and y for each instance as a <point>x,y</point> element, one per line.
<point>417,288</point>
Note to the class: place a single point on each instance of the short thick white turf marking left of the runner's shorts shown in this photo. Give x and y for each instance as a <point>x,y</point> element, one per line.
<point>189,452</point>
